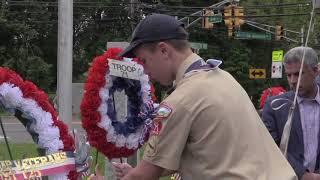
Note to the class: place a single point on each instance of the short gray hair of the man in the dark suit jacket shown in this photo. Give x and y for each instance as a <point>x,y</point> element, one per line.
<point>295,55</point>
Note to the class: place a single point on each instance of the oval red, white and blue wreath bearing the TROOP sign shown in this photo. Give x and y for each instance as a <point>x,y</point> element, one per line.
<point>114,137</point>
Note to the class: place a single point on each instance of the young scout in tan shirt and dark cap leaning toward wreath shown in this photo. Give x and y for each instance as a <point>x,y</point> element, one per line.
<point>207,128</point>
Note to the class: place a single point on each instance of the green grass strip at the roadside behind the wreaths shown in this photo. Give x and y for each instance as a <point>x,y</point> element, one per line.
<point>28,150</point>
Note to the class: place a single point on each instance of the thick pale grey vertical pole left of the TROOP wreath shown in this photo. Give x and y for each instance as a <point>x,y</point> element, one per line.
<point>65,45</point>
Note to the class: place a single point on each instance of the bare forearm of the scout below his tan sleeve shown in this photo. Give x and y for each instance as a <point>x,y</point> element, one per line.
<point>144,171</point>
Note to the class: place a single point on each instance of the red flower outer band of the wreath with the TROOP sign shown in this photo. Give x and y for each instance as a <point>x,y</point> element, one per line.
<point>91,102</point>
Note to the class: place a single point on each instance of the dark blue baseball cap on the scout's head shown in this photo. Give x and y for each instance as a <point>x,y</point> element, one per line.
<point>155,27</point>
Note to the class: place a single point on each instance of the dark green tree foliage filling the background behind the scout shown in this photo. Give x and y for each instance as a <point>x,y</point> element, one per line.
<point>28,37</point>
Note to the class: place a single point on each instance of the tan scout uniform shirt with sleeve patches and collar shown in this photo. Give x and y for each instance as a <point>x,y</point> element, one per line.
<point>209,130</point>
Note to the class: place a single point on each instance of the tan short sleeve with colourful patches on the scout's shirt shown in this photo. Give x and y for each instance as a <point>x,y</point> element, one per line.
<point>168,137</point>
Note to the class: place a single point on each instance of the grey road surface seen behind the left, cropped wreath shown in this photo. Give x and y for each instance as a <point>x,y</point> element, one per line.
<point>17,133</point>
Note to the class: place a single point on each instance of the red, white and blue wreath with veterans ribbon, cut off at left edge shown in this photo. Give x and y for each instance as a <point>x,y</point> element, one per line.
<point>33,108</point>
